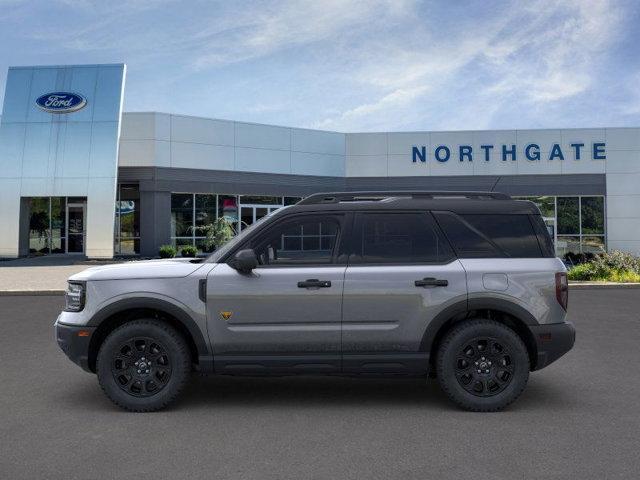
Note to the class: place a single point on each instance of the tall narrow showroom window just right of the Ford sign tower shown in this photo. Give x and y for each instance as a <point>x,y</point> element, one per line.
<point>127,228</point>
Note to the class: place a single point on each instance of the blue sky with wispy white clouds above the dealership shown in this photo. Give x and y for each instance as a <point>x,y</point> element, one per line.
<point>348,65</point>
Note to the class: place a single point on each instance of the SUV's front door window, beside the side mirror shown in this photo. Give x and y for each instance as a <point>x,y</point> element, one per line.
<point>306,240</point>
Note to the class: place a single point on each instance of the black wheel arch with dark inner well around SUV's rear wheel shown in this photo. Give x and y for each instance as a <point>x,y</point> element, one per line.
<point>508,313</point>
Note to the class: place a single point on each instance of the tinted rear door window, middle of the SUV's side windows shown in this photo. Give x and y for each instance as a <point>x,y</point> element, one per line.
<point>398,238</point>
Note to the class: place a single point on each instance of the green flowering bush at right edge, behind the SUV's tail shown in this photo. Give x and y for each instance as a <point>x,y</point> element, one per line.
<point>614,266</point>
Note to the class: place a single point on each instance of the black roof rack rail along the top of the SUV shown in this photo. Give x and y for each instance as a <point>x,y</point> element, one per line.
<point>336,197</point>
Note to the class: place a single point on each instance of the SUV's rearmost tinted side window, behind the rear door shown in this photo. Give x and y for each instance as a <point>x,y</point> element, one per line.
<point>488,235</point>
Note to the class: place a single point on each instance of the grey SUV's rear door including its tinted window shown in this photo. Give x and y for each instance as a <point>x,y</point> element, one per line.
<point>401,274</point>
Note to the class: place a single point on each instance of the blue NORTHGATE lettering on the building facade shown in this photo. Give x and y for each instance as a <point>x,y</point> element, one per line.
<point>531,152</point>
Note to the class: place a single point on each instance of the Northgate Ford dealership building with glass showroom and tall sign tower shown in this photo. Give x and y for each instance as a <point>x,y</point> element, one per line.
<point>80,176</point>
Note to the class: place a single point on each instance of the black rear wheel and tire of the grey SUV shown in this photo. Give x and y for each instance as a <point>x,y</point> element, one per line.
<point>482,365</point>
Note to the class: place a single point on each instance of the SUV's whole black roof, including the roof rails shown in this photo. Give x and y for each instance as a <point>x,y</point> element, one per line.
<point>457,202</point>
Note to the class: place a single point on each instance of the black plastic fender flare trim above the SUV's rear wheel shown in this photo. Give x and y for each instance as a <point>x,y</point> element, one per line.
<point>462,308</point>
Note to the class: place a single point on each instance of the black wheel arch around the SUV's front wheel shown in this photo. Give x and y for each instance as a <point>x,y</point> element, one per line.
<point>125,310</point>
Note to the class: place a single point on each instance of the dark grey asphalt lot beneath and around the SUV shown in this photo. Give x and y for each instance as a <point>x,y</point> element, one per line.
<point>577,419</point>
